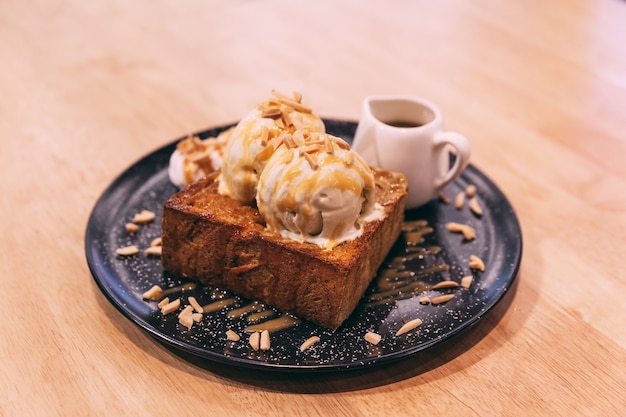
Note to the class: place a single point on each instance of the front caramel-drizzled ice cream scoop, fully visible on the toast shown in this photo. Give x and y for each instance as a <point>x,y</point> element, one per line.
<point>322,192</point>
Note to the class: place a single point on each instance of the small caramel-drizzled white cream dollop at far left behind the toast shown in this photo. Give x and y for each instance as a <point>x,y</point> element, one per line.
<point>195,158</point>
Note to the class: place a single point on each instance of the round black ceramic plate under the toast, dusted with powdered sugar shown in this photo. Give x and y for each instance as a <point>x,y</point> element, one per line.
<point>498,243</point>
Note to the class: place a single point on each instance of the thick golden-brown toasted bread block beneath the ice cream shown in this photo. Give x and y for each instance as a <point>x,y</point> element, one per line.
<point>222,243</point>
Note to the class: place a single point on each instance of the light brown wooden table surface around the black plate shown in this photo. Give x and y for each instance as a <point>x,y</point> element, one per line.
<point>539,87</point>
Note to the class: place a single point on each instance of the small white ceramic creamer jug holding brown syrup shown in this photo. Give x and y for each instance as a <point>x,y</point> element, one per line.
<point>405,134</point>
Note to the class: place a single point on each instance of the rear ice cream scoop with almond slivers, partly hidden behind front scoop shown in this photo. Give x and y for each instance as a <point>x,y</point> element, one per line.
<point>254,139</point>
